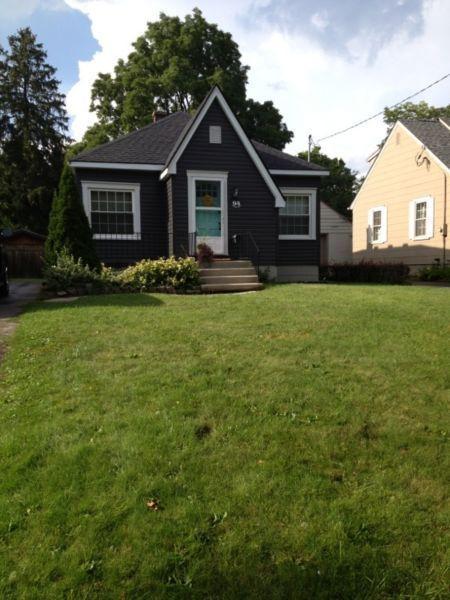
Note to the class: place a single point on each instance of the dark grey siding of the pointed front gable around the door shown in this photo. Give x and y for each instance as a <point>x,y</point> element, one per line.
<point>257,213</point>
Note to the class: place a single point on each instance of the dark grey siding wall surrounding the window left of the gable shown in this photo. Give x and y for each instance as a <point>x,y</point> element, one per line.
<point>154,239</point>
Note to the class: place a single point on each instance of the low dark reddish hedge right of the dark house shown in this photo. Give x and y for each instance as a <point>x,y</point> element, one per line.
<point>366,272</point>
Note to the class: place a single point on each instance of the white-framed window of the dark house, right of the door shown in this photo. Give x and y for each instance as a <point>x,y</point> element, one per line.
<point>297,220</point>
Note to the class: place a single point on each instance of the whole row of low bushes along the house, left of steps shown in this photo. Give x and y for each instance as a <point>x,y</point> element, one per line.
<point>72,276</point>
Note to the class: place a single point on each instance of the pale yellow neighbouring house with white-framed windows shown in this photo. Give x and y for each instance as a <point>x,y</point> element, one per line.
<point>401,212</point>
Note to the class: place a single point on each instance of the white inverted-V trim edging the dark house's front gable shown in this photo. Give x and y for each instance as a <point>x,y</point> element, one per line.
<point>216,94</point>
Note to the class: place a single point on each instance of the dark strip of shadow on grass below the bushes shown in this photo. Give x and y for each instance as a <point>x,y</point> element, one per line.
<point>107,301</point>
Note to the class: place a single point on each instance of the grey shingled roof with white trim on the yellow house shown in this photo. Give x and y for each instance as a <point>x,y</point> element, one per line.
<point>432,134</point>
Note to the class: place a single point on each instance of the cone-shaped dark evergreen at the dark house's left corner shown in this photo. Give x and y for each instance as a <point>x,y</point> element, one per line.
<point>69,227</point>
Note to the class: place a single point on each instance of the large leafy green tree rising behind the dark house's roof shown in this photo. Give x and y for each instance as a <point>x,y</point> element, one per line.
<point>172,67</point>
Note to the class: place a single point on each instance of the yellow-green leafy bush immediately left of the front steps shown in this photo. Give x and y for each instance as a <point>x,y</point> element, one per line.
<point>170,273</point>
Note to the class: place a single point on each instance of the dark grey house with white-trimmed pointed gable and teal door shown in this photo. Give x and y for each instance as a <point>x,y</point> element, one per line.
<point>187,179</point>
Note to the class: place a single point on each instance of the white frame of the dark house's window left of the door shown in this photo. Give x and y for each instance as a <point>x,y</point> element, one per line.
<point>135,189</point>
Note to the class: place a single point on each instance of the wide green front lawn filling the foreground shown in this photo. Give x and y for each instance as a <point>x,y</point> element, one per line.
<point>295,441</point>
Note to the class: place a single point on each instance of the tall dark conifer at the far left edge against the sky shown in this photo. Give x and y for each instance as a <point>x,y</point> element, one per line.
<point>33,126</point>
